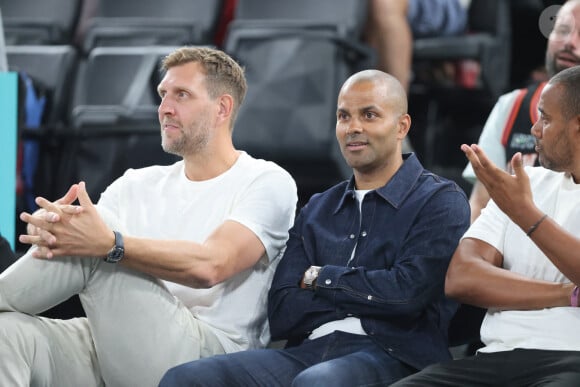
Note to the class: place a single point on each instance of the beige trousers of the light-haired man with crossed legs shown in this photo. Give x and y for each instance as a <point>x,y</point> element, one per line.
<point>135,329</point>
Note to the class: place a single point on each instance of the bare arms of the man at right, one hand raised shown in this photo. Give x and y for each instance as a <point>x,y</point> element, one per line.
<point>476,275</point>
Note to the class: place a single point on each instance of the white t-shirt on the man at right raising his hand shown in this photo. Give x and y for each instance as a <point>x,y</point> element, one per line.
<point>557,195</point>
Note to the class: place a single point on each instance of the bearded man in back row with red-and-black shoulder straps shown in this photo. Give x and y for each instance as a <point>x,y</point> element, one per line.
<point>506,130</point>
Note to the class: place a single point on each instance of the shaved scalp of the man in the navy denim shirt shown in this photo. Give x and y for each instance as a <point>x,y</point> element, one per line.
<point>387,85</point>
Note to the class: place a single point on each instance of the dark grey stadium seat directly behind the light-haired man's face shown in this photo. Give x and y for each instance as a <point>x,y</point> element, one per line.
<point>113,116</point>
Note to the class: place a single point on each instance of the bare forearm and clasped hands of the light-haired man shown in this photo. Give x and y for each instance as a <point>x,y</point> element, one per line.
<point>66,230</point>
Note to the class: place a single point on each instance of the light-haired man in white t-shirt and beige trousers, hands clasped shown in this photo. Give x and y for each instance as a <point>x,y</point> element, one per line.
<point>172,264</point>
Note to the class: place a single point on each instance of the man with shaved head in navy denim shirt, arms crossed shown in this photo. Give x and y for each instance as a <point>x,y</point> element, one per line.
<point>359,291</point>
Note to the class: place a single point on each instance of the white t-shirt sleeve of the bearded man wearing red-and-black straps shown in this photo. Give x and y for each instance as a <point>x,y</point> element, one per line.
<point>490,138</point>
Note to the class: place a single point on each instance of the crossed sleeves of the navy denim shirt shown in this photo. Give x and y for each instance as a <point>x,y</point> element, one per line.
<point>403,290</point>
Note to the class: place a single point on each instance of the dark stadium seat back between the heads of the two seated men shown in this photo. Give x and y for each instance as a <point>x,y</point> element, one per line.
<point>296,56</point>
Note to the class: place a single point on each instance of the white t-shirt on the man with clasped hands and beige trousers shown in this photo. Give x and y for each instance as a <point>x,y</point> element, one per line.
<point>159,202</point>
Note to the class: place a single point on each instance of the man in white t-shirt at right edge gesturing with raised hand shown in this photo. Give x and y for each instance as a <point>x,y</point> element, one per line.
<point>520,259</point>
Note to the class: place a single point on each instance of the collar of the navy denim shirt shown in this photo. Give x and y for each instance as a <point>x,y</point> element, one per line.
<point>396,189</point>
